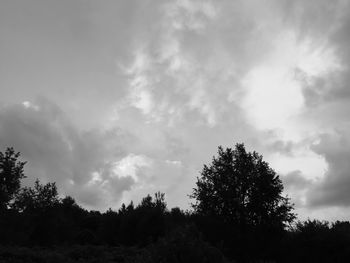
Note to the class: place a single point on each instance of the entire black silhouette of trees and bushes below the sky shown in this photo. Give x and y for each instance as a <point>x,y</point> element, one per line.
<point>239,215</point>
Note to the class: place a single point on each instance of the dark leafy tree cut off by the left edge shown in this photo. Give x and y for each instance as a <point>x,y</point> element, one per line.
<point>11,172</point>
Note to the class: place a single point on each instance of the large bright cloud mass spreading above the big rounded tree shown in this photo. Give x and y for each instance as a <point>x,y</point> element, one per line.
<point>202,79</point>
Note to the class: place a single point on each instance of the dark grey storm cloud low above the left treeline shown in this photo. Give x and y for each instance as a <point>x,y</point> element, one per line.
<point>80,162</point>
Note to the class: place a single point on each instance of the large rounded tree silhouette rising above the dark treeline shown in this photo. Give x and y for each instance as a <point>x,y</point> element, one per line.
<point>240,188</point>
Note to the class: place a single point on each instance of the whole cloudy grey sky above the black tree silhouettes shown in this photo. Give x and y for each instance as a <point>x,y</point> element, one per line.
<point>114,100</point>
